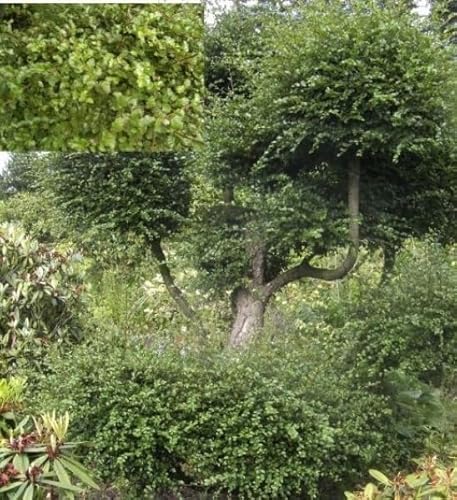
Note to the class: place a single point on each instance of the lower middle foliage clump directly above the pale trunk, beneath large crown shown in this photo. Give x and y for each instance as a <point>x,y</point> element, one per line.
<point>288,219</point>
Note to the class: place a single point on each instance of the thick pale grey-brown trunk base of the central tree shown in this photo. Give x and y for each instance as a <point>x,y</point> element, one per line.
<point>248,312</point>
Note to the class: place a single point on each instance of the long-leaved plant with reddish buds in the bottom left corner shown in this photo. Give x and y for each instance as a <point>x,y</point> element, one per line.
<point>37,461</point>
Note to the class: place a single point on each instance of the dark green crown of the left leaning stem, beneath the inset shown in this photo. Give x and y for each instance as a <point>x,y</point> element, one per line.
<point>146,195</point>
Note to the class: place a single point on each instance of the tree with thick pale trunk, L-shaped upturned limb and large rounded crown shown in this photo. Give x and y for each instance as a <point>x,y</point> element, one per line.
<point>348,102</point>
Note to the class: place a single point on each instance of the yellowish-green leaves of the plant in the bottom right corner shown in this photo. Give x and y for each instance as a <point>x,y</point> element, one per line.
<point>432,479</point>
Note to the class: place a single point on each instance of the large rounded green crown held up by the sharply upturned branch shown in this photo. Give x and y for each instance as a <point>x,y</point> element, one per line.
<point>337,83</point>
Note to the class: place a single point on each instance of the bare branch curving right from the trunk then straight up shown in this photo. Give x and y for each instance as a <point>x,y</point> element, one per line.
<point>305,269</point>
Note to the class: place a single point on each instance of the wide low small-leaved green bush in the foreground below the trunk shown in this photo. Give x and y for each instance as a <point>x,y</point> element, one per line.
<point>261,424</point>
